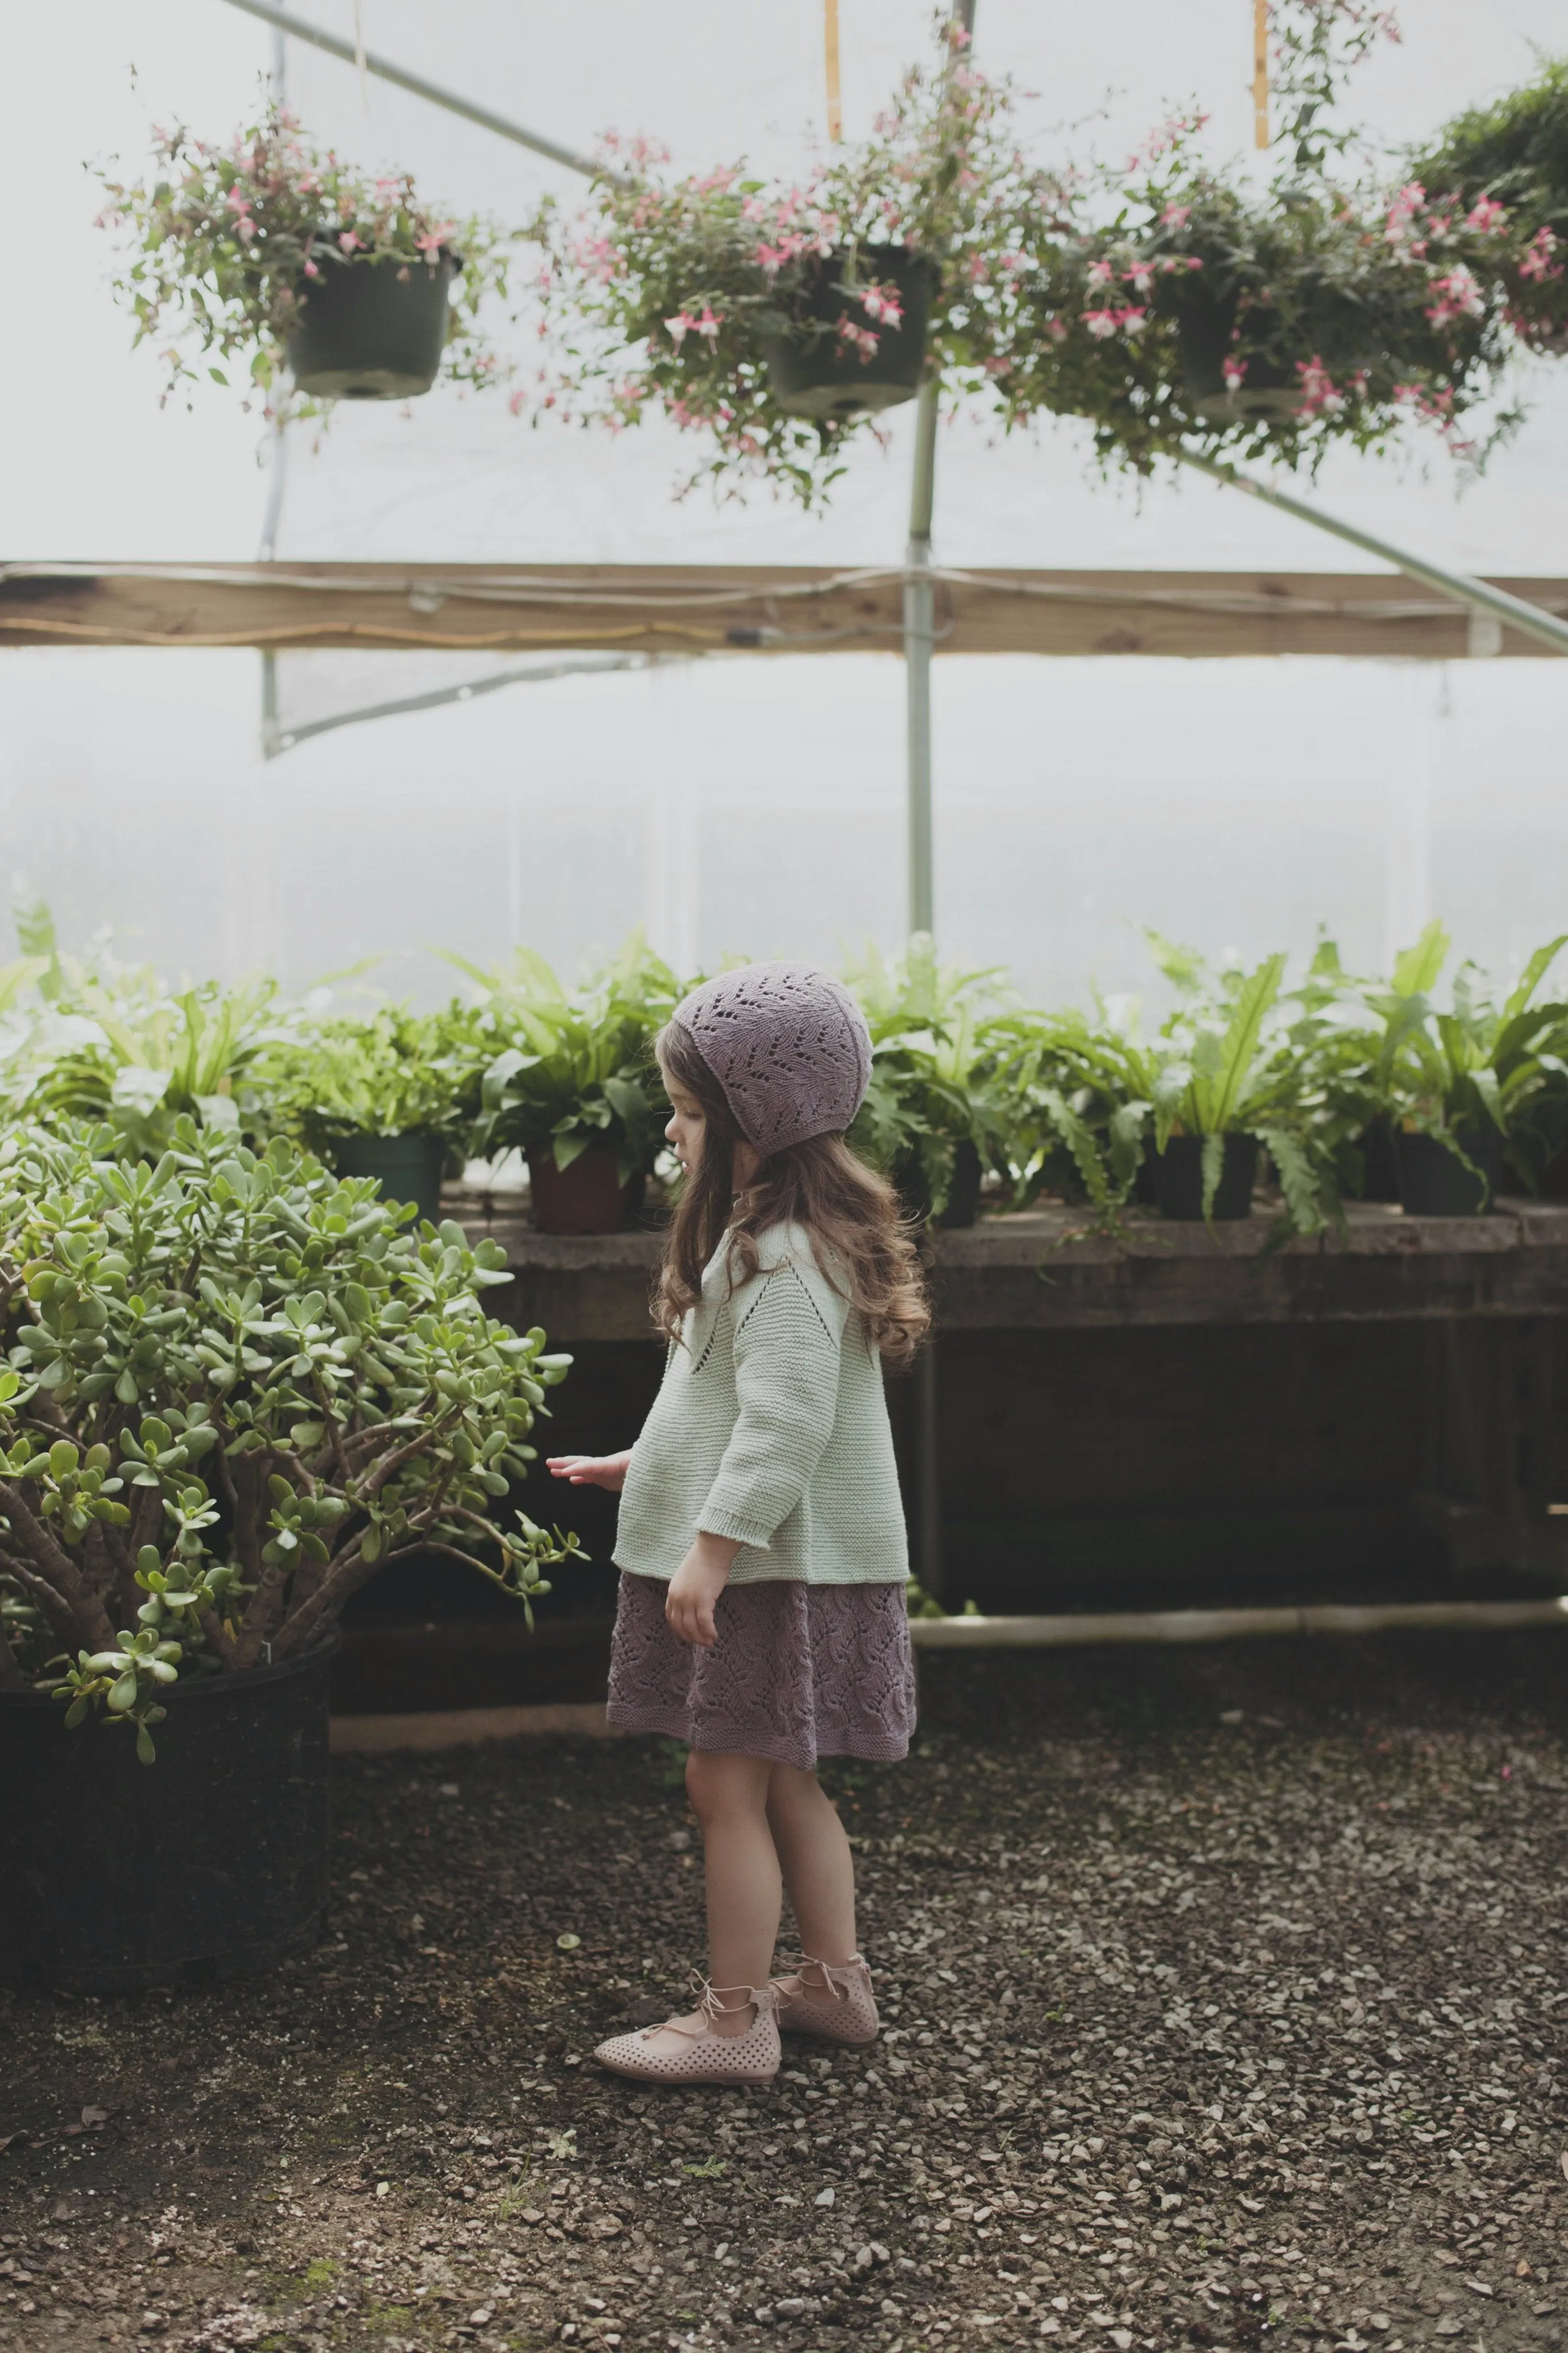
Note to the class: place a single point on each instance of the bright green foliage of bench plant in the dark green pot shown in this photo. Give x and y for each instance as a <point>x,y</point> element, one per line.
<point>382,1074</point>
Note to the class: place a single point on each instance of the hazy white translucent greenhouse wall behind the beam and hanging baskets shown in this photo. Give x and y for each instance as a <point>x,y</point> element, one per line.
<point>732,806</point>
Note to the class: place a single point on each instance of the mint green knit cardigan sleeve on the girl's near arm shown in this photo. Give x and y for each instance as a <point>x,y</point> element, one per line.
<point>789,1340</point>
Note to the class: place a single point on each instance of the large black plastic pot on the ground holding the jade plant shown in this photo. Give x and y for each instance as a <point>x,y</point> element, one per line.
<point>206,1865</point>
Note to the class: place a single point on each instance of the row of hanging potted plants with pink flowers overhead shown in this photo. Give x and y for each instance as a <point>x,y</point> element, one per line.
<point>1167,300</point>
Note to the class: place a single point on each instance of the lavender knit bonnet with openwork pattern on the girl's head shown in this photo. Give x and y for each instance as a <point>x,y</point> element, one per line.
<point>789,1046</point>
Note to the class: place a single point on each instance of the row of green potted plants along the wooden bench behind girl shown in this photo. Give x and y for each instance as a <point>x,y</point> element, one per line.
<point>1320,1093</point>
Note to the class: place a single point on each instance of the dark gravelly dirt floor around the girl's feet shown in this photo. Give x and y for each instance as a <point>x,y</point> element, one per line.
<point>1221,2004</point>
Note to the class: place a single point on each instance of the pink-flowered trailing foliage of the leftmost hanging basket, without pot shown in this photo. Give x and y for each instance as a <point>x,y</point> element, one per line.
<point>222,244</point>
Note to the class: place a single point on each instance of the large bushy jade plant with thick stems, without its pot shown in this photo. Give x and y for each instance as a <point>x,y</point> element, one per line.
<point>234,1392</point>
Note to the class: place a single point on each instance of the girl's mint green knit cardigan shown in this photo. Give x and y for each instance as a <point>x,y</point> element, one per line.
<point>770,1427</point>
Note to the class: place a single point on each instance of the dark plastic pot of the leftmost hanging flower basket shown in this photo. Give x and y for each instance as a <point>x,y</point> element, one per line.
<point>373,331</point>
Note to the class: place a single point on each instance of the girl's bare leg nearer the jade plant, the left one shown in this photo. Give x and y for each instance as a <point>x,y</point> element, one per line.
<point>730,1797</point>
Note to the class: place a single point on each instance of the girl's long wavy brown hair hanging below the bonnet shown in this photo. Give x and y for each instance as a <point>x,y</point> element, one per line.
<point>817,1185</point>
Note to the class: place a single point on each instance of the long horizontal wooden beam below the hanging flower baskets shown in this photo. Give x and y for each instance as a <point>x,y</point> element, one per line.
<point>739,608</point>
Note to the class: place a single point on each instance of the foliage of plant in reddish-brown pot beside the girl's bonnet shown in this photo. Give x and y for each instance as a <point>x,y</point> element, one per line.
<point>575,1069</point>
